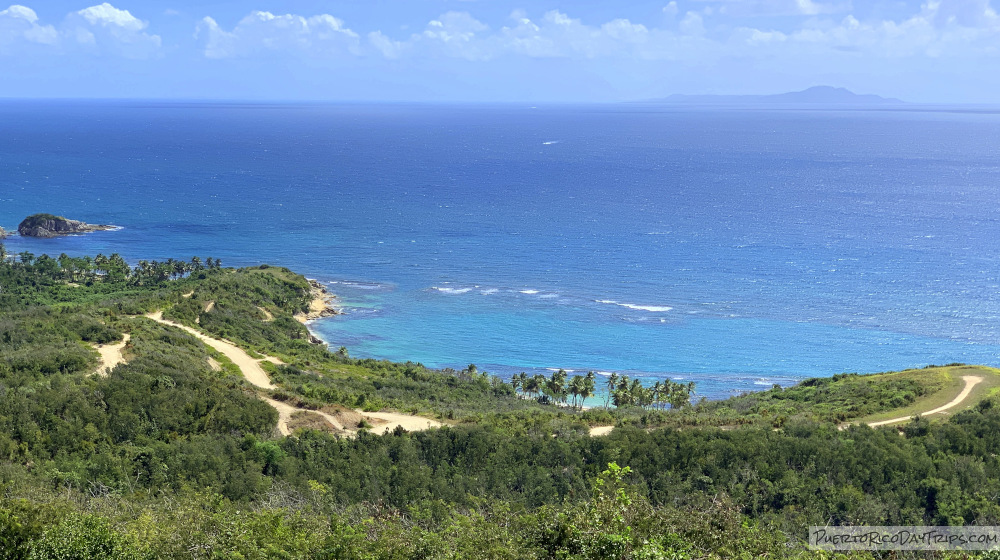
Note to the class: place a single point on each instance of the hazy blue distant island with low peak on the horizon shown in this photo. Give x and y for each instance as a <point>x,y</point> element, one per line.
<point>818,95</point>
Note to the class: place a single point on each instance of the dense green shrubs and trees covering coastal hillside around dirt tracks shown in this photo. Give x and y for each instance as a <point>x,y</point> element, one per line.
<point>168,457</point>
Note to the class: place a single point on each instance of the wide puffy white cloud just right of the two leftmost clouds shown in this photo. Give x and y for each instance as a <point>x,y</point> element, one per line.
<point>322,35</point>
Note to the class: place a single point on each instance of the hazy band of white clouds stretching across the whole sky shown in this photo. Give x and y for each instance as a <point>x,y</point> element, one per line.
<point>693,46</point>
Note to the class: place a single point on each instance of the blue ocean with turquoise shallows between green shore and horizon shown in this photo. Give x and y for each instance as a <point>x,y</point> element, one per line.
<point>733,248</point>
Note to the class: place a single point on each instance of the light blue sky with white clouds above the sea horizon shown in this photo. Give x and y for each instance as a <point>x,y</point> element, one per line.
<point>934,51</point>
